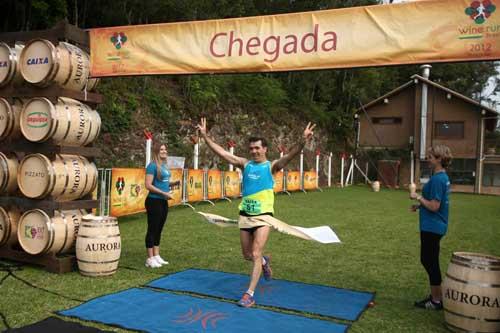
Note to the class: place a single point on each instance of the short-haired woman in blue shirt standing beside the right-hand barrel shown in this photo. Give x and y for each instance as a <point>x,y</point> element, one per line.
<point>433,205</point>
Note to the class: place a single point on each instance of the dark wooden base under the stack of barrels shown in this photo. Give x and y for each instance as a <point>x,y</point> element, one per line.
<point>51,262</point>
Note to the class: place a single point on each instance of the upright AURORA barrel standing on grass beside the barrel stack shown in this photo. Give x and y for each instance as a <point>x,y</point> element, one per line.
<point>98,245</point>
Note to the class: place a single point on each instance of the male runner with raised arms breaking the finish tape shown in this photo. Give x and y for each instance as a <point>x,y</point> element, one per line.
<point>257,204</point>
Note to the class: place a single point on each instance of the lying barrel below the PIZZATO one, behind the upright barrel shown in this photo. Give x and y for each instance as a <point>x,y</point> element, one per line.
<point>39,233</point>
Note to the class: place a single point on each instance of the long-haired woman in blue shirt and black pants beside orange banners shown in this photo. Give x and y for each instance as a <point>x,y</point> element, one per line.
<point>158,185</point>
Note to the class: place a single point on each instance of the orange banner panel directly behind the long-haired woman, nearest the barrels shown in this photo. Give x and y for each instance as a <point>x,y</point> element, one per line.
<point>128,192</point>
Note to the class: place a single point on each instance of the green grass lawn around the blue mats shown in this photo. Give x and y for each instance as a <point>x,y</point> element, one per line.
<point>379,252</point>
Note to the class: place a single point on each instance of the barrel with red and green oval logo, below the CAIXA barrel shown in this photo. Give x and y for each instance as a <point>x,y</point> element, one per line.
<point>68,122</point>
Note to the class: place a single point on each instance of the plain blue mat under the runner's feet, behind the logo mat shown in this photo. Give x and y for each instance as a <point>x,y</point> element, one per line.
<point>322,300</point>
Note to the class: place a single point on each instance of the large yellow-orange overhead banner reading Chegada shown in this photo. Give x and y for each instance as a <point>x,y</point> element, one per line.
<point>406,33</point>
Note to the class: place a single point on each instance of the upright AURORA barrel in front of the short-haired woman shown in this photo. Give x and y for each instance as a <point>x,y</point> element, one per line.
<point>471,293</point>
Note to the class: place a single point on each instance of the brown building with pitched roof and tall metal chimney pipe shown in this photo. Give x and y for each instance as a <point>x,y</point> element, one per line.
<point>422,113</point>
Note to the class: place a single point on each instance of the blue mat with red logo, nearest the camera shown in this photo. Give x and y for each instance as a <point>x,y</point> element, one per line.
<point>155,311</point>
